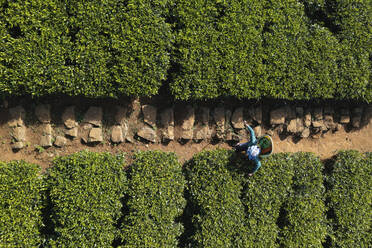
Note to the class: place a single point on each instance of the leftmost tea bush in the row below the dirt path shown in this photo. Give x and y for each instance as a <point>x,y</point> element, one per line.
<point>20,204</point>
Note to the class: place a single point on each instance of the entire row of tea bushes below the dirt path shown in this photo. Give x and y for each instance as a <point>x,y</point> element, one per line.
<point>91,199</point>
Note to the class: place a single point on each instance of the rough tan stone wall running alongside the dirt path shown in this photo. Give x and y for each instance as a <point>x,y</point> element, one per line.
<point>143,123</point>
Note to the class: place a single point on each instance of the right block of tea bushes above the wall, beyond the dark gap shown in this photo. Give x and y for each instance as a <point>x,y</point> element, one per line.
<point>271,49</point>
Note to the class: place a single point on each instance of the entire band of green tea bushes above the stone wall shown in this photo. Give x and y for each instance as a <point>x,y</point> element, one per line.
<point>284,49</point>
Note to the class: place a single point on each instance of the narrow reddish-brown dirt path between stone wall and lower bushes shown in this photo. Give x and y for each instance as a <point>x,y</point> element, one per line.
<point>325,146</point>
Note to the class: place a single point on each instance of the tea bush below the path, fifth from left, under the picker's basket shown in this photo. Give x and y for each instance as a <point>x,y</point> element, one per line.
<point>264,194</point>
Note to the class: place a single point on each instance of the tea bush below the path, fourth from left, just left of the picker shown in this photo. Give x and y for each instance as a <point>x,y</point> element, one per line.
<point>218,213</point>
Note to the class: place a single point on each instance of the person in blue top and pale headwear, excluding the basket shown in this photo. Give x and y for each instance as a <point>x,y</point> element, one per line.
<point>251,148</point>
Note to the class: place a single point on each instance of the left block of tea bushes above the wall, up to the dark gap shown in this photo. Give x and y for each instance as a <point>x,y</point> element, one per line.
<point>94,49</point>
